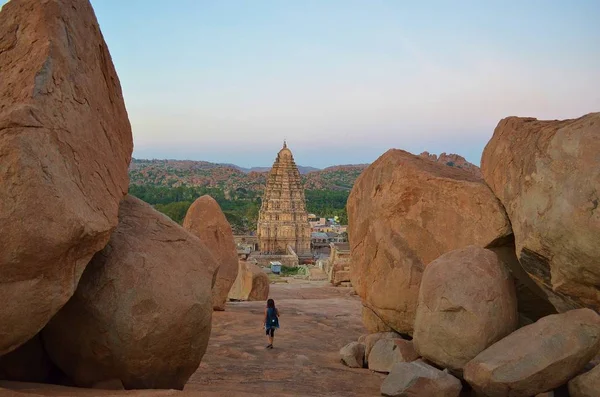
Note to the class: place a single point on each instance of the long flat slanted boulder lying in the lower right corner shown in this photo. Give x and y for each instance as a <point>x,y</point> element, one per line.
<point>538,357</point>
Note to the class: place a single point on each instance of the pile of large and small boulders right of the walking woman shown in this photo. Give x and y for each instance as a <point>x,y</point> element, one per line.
<point>494,281</point>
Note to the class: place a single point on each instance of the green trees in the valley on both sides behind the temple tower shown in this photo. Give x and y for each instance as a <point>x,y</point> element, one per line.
<point>240,206</point>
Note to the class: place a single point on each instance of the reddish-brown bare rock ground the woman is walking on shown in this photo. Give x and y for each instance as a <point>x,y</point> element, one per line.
<point>316,320</point>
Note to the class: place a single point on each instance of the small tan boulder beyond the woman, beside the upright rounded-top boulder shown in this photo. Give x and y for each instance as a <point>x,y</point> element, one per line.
<point>251,284</point>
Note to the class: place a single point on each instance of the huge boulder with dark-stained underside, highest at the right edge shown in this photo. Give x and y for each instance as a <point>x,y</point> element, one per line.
<point>547,175</point>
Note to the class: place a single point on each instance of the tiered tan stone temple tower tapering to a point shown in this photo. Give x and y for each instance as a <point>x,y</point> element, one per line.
<point>283,219</point>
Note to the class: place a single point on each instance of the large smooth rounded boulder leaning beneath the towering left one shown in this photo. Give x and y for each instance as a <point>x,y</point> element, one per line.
<point>142,311</point>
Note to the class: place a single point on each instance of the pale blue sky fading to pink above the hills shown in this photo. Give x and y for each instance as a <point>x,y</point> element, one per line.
<point>342,80</point>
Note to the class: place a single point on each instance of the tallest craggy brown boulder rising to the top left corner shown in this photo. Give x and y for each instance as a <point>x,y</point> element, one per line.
<point>65,146</point>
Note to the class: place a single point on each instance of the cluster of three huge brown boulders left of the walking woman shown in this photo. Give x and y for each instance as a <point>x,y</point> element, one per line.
<point>97,287</point>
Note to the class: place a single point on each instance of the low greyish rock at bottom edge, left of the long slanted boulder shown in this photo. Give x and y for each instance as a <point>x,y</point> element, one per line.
<point>419,379</point>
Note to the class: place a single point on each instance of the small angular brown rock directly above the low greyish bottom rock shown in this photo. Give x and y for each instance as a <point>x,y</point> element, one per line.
<point>387,352</point>
